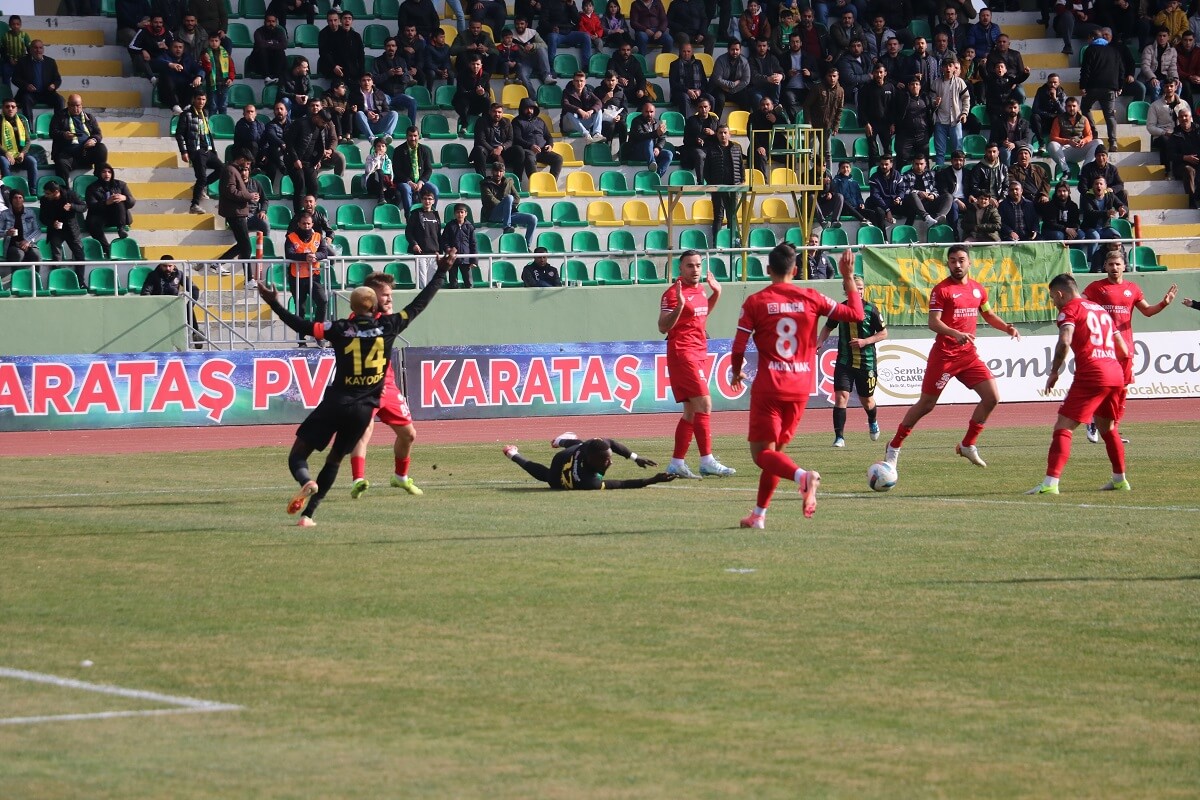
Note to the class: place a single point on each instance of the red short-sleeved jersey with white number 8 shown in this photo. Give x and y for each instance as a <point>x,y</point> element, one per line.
<point>783,320</point>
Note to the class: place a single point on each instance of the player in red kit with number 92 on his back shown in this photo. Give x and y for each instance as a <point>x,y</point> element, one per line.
<point>1088,330</point>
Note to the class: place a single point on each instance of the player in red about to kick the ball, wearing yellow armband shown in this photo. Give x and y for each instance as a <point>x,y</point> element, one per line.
<point>955,308</point>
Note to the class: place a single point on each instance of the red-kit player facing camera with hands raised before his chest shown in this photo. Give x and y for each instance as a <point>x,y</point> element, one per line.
<point>682,317</point>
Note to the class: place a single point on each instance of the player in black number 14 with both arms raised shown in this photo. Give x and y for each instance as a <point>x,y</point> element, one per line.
<point>362,351</point>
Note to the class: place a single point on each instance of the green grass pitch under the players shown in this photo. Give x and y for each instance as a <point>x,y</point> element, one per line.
<point>495,640</point>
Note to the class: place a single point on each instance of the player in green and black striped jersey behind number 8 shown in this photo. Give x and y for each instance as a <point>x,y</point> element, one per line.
<point>856,365</point>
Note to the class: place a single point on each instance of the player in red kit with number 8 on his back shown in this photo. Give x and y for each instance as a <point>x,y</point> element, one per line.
<point>783,320</point>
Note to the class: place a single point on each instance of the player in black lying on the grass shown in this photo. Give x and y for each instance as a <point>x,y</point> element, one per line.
<point>583,465</point>
